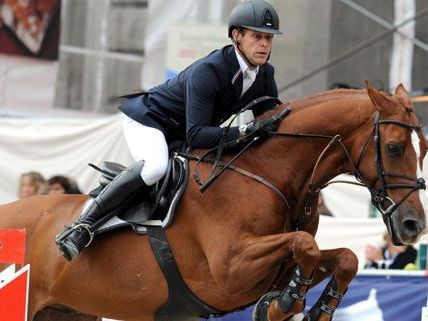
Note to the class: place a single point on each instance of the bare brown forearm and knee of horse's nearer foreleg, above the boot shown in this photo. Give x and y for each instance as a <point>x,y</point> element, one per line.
<point>259,258</point>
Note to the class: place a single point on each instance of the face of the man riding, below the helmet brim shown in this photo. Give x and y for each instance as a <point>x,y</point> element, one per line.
<point>255,45</point>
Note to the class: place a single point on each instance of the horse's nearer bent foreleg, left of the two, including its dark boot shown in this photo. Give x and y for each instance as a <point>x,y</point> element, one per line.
<point>266,255</point>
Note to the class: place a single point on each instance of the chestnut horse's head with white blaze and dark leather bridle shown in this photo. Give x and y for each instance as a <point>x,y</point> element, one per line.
<point>387,163</point>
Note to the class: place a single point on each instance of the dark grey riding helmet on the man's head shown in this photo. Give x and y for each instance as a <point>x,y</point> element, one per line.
<point>257,15</point>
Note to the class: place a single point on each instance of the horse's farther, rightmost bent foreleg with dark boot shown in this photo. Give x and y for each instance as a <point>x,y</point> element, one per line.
<point>342,265</point>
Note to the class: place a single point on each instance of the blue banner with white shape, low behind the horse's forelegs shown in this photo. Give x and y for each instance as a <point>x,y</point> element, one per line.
<point>370,298</point>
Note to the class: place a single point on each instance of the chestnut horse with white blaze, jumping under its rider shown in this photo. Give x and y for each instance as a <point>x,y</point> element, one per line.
<point>237,241</point>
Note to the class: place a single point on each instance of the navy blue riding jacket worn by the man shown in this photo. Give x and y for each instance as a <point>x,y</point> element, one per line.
<point>193,104</point>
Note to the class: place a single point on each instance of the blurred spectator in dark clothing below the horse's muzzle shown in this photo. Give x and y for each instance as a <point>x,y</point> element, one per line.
<point>389,256</point>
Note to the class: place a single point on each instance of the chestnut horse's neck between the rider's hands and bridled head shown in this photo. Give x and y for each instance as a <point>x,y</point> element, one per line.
<point>289,162</point>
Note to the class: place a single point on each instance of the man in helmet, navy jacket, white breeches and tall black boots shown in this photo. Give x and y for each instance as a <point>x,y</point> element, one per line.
<point>190,107</point>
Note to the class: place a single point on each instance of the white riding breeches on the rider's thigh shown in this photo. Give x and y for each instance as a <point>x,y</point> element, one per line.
<point>148,144</point>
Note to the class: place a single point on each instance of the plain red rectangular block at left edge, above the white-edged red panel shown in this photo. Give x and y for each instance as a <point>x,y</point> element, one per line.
<point>12,246</point>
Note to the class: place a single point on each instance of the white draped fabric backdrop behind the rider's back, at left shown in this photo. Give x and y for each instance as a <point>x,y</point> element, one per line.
<point>55,146</point>
